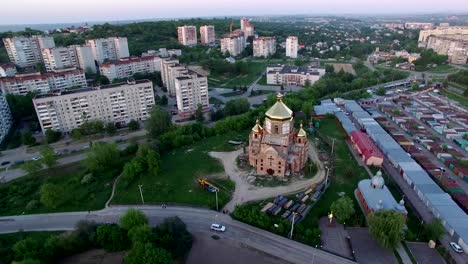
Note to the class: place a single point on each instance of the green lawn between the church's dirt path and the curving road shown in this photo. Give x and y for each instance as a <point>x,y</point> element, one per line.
<point>180,169</point>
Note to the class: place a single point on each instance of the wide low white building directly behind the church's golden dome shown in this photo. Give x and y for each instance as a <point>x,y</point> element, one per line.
<point>293,75</point>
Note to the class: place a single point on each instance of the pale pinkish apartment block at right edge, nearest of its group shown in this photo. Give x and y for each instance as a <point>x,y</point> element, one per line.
<point>454,46</point>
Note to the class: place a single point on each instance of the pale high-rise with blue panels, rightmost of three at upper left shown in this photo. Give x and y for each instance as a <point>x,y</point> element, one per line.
<point>108,49</point>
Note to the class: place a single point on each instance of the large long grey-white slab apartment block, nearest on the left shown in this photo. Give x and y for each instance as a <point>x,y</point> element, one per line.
<point>114,103</point>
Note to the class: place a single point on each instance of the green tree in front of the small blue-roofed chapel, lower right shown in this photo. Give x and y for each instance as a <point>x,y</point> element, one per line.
<point>386,227</point>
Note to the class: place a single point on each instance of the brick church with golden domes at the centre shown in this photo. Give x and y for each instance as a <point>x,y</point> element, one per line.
<point>278,148</point>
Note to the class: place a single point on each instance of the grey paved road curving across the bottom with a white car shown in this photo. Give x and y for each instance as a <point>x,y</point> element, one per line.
<point>197,220</point>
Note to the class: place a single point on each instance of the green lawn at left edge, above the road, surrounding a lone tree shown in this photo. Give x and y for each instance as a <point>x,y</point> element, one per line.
<point>22,195</point>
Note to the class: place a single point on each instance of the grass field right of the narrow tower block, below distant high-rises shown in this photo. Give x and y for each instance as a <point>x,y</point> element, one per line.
<point>231,81</point>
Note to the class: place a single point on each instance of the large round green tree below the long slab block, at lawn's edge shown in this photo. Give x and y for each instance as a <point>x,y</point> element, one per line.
<point>102,157</point>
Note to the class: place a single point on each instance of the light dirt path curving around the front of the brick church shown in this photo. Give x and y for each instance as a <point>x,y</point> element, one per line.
<point>246,192</point>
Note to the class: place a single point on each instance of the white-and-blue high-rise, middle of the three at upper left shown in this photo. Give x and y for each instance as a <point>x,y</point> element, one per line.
<point>71,56</point>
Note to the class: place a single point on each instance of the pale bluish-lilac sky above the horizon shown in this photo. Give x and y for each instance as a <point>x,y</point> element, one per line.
<point>59,11</point>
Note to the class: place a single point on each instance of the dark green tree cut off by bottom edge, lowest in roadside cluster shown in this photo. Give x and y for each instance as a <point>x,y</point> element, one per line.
<point>148,254</point>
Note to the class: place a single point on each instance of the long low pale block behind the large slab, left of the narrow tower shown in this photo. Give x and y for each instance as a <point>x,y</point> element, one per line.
<point>127,67</point>
